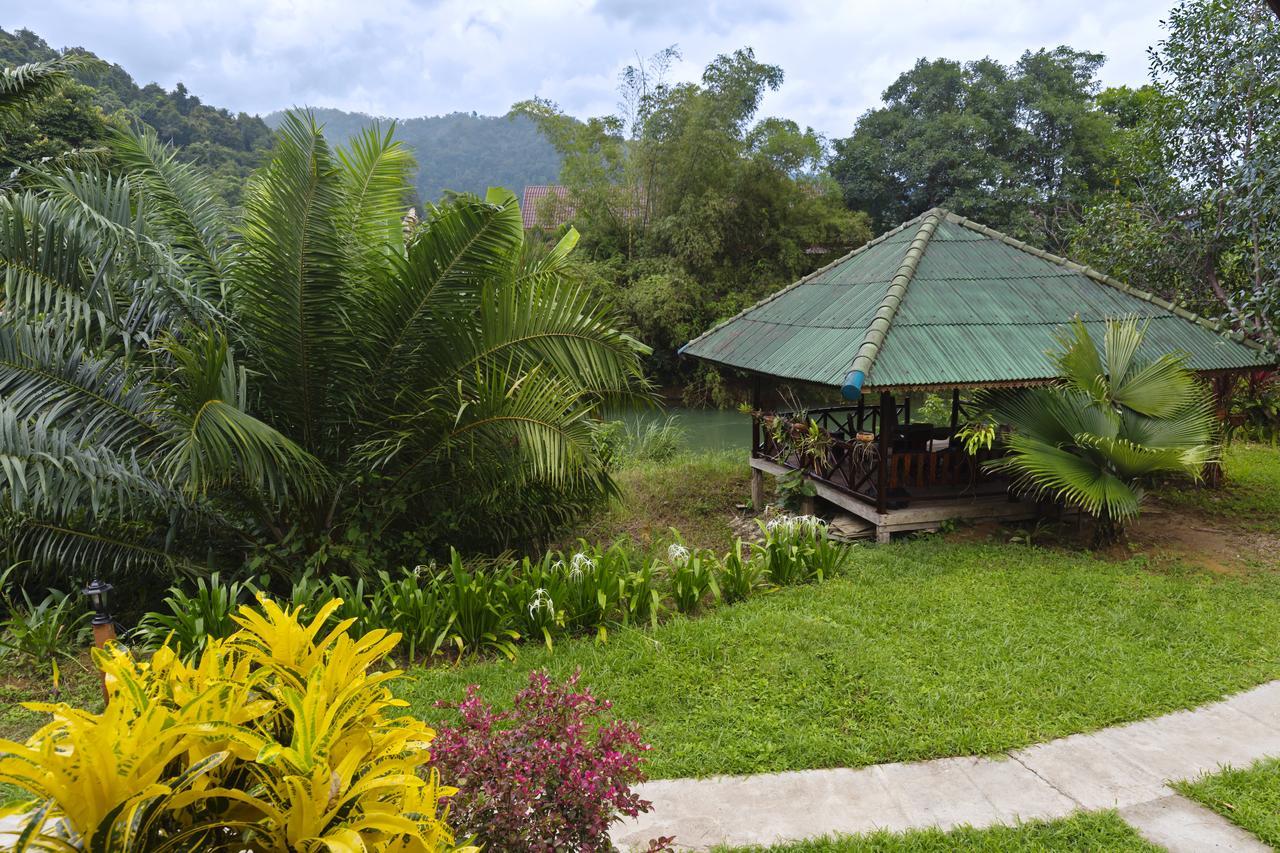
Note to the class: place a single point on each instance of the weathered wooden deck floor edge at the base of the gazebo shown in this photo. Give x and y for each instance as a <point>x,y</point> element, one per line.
<point>922,514</point>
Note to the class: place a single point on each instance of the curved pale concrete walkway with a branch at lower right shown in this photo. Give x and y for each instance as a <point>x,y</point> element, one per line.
<point>1123,768</point>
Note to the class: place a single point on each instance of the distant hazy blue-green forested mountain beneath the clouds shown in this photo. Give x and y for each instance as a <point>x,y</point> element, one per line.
<point>460,152</point>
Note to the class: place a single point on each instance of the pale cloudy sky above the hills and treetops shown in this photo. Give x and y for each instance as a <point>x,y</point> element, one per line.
<point>409,58</point>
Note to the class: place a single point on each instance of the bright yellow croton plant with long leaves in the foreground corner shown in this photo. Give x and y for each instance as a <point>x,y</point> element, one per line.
<point>277,738</point>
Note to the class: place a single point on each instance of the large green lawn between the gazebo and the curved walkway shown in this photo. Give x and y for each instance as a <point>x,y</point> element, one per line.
<point>921,650</point>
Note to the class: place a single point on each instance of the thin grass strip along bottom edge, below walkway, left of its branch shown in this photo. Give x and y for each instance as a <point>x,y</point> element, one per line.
<point>1084,832</point>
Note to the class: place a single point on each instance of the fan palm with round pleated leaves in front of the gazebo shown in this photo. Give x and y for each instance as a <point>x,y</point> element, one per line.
<point>1114,422</point>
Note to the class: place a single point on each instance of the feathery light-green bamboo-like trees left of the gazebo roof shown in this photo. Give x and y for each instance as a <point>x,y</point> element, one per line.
<point>691,207</point>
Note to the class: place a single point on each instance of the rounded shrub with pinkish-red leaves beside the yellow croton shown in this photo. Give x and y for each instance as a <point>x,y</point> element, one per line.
<point>542,777</point>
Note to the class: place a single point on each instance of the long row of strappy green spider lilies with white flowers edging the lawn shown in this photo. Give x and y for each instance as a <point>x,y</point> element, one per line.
<point>488,606</point>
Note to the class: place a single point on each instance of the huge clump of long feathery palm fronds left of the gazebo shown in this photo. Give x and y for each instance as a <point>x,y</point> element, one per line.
<point>180,390</point>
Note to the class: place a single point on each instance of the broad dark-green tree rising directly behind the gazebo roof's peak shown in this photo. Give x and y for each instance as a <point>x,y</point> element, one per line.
<point>1020,148</point>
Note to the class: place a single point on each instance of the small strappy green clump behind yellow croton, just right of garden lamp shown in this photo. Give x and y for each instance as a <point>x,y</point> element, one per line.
<point>191,622</point>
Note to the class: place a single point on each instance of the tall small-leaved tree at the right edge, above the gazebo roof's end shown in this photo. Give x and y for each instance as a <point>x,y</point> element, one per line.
<point>1196,208</point>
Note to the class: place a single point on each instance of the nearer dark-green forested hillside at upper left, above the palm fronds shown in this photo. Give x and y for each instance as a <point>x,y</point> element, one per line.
<point>81,113</point>
